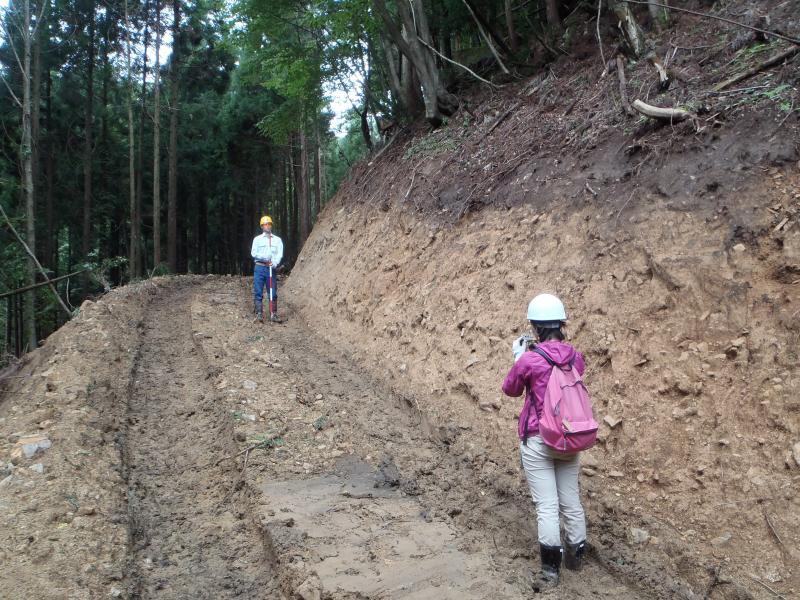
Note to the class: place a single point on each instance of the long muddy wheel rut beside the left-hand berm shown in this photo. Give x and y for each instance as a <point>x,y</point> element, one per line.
<point>187,539</point>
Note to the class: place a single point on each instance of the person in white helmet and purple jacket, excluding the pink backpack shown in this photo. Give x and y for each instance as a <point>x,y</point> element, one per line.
<point>552,476</point>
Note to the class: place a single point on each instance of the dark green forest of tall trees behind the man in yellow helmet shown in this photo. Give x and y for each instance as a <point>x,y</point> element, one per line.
<point>147,136</point>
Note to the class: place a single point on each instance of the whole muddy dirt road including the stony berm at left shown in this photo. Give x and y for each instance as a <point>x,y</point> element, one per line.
<point>254,461</point>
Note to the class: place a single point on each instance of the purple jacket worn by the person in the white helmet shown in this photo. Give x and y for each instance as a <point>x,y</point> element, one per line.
<point>531,374</point>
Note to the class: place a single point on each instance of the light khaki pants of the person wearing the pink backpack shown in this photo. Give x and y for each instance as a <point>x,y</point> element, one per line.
<point>553,481</point>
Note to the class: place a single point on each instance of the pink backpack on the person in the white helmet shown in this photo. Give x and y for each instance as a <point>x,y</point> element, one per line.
<point>566,422</point>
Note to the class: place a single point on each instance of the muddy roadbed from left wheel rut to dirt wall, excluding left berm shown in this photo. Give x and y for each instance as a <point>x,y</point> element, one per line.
<point>263,462</point>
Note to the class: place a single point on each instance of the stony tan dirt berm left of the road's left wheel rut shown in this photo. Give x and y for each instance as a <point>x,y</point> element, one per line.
<point>64,529</point>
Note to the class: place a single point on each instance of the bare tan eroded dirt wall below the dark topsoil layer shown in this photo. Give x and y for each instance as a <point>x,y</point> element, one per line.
<point>687,312</point>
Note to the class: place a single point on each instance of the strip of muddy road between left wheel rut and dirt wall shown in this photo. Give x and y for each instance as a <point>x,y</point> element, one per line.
<point>363,498</point>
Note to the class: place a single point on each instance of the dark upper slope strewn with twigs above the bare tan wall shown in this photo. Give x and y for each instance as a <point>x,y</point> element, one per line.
<point>564,133</point>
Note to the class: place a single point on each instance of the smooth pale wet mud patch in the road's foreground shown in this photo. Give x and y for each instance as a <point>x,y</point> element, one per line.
<point>375,541</point>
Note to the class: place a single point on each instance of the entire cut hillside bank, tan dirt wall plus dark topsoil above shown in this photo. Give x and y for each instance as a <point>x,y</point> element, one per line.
<point>677,253</point>
